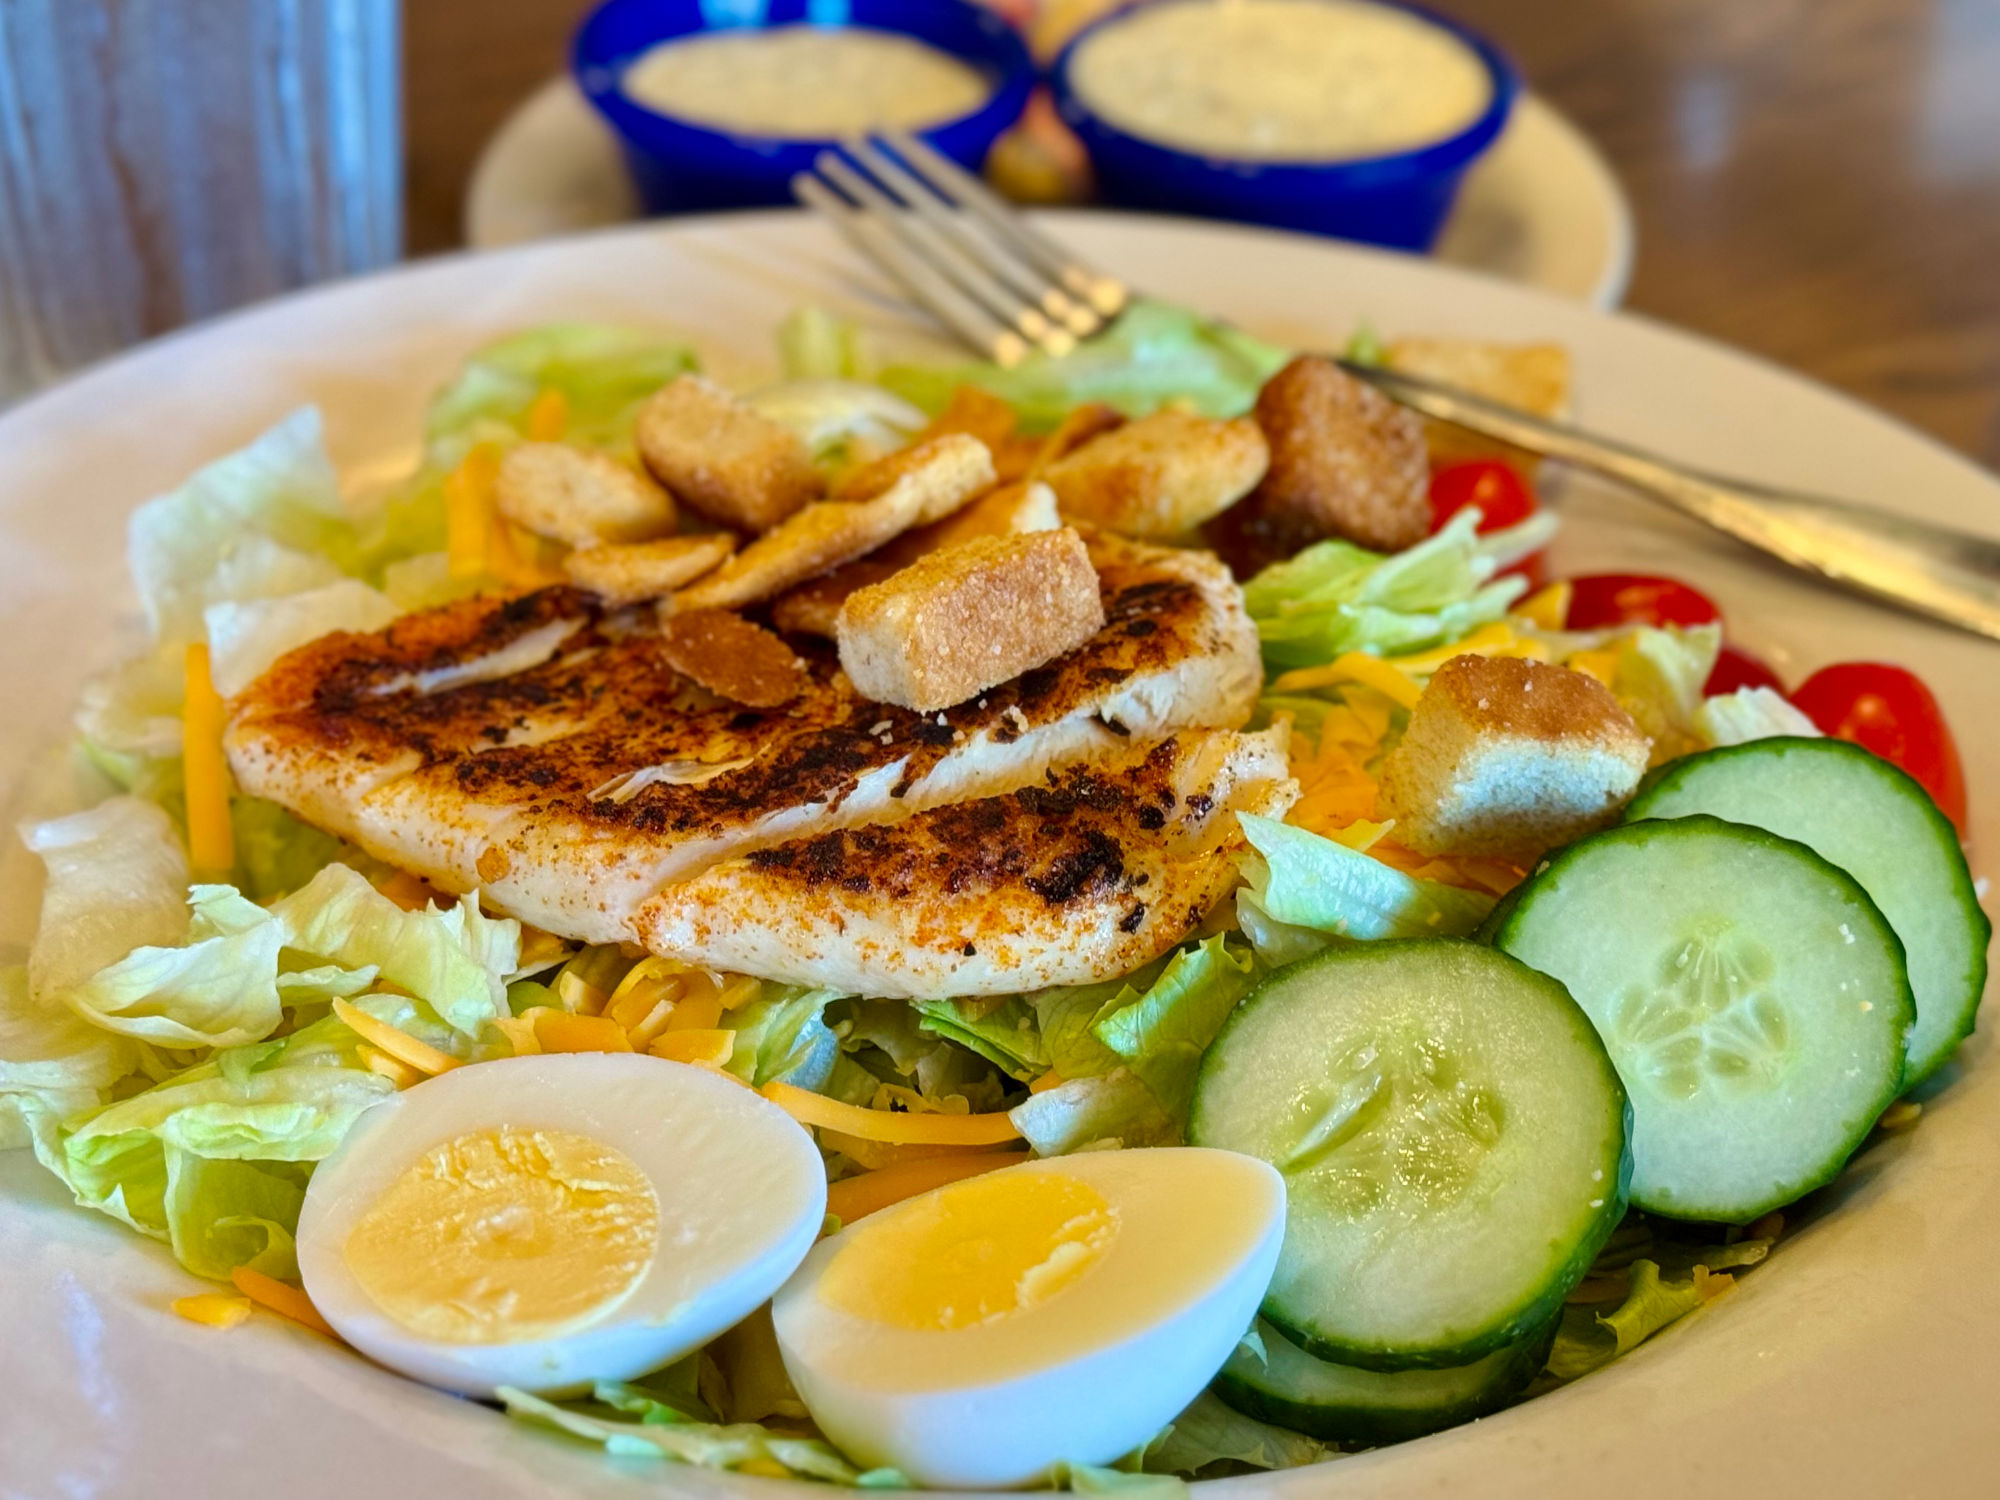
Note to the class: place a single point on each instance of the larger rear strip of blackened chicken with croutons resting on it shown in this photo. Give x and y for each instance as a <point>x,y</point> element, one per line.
<point>543,749</point>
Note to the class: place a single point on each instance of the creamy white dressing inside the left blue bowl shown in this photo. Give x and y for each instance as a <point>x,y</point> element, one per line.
<point>805,83</point>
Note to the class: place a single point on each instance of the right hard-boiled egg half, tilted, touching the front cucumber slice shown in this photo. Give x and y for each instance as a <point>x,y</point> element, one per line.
<point>1053,1311</point>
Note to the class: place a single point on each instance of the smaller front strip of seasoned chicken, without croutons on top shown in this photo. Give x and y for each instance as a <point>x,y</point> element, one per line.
<point>1095,871</point>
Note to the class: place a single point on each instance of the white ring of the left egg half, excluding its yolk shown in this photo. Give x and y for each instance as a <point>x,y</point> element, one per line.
<point>741,1187</point>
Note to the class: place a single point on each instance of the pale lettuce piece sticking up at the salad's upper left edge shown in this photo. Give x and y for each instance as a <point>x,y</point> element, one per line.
<point>261,523</point>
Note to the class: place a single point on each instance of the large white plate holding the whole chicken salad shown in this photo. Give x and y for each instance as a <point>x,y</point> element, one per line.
<point>1865,1361</point>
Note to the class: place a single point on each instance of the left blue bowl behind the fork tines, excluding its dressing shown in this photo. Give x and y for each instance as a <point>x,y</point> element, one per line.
<point>685,167</point>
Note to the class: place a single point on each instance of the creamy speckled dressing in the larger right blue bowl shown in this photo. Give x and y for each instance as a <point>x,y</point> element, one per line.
<point>1303,81</point>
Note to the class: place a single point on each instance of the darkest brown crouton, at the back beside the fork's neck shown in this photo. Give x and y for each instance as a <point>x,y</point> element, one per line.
<point>1345,461</point>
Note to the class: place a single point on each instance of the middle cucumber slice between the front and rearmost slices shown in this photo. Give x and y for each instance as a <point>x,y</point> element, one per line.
<point>1751,993</point>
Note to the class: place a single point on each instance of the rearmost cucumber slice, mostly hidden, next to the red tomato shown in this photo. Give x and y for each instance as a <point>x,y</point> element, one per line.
<point>1883,829</point>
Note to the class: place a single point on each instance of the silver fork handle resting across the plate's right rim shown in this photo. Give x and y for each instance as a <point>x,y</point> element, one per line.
<point>1935,571</point>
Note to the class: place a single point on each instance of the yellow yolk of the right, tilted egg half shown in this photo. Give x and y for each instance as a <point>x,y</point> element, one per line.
<point>973,1253</point>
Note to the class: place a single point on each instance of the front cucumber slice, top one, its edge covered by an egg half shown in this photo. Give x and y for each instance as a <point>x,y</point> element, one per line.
<point>1453,1141</point>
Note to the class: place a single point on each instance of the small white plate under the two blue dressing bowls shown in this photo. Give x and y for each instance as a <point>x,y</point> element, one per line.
<point>1541,209</point>
